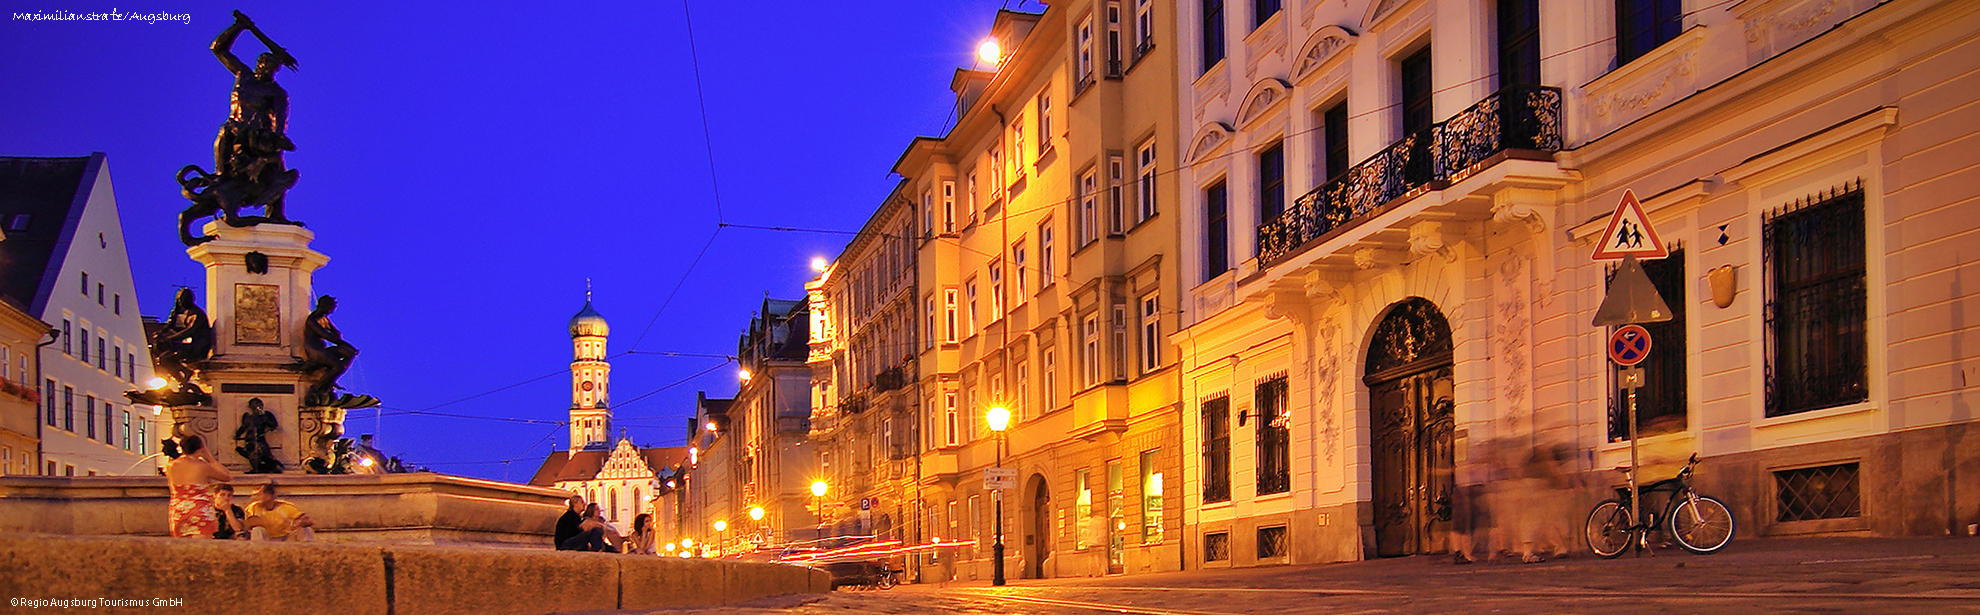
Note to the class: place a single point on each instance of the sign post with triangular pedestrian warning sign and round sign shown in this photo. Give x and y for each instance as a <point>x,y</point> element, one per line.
<point>1631,302</point>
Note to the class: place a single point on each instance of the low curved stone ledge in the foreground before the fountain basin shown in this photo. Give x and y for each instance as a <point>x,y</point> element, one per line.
<point>215,576</point>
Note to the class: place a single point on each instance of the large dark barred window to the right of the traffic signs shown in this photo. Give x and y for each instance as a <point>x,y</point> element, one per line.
<point>1817,306</point>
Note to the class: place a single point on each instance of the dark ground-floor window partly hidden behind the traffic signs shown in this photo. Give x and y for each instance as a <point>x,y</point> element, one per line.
<point>1660,404</point>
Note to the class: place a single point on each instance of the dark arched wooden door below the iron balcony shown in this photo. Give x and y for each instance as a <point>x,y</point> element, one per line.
<point>1411,420</point>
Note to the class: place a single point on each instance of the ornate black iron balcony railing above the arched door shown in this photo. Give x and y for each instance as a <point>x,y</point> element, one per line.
<point>1522,118</point>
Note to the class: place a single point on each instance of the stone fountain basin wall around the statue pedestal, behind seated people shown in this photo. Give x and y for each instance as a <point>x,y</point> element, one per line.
<point>397,509</point>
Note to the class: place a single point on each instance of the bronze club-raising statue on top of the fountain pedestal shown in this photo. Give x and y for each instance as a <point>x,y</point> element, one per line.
<point>248,169</point>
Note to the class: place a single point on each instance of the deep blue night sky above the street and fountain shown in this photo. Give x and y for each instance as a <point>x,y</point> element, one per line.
<point>468,169</point>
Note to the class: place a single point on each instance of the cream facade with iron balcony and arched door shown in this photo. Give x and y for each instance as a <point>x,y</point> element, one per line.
<point>1389,219</point>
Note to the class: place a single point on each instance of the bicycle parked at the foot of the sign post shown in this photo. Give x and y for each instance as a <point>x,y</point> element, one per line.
<point>1698,523</point>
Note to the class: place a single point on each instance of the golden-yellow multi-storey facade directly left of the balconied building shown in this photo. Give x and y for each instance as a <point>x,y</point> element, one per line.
<point>1046,284</point>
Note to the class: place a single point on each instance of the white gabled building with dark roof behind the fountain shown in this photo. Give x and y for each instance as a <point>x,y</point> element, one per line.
<point>64,258</point>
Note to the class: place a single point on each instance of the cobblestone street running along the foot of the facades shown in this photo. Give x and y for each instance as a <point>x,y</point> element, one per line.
<point>1751,576</point>
